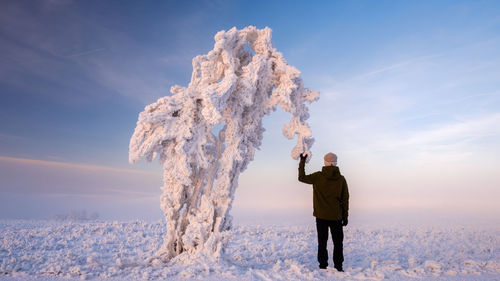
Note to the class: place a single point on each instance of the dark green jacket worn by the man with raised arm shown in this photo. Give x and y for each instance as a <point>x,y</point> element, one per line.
<point>330,192</point>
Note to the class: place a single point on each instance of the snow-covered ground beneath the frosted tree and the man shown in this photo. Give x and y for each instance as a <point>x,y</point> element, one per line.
<point>51,250</point>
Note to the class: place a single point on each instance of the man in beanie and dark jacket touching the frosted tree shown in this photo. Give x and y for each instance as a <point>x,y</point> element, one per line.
<point>331,206</point>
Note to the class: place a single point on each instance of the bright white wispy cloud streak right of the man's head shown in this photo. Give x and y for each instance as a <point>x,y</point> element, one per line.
<point>464,140</point>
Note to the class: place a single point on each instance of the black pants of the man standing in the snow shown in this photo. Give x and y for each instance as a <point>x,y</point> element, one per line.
<point>337,237</point>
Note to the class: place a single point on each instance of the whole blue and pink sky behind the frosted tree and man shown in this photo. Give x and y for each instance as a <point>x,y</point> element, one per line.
<point>409,101</point>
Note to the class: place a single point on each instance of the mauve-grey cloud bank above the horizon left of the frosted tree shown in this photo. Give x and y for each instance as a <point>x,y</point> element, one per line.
<point>33,188</point>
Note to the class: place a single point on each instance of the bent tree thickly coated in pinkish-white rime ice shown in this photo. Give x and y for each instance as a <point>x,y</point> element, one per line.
<point>232,87</point>
